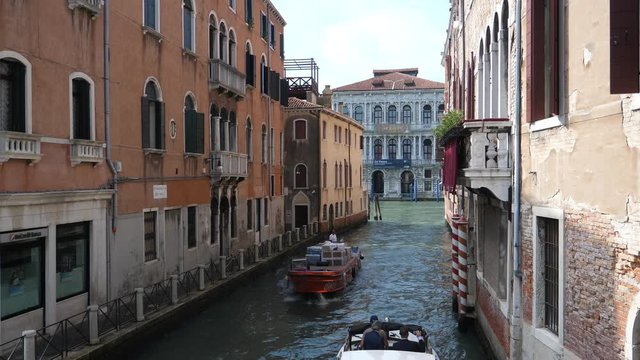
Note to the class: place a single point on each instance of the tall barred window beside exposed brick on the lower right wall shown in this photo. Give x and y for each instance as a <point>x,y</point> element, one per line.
<point>548,237</point>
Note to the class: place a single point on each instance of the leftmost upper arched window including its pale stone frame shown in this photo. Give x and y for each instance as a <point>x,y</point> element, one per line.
<point>14,93</point>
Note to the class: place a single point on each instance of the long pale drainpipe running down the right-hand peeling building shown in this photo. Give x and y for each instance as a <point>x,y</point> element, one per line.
<point>516,320</point>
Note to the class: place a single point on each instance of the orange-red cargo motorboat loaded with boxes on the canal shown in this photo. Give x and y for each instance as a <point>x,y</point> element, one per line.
<point>327,268</point>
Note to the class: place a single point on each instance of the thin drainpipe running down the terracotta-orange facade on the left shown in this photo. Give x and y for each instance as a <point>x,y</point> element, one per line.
<point>107,139</point>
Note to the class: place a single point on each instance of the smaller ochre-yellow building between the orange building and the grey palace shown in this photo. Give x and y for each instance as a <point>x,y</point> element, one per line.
<point>323,180</point>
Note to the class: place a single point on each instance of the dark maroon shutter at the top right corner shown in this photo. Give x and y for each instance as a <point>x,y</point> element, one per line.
<point>624,62</point>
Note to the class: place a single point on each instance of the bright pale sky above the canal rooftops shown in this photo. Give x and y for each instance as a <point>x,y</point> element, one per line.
<point>350,38</point>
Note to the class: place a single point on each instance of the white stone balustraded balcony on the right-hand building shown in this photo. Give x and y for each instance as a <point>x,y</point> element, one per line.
<point>487,162</point>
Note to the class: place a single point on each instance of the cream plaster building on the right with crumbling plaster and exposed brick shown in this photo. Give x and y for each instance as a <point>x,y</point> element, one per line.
<point>551,245</point>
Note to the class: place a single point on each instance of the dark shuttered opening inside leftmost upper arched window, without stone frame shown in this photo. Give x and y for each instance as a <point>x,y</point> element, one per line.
<point>12,95</point>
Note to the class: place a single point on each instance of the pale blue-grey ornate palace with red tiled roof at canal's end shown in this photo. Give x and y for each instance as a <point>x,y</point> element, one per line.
<point>399,111</point>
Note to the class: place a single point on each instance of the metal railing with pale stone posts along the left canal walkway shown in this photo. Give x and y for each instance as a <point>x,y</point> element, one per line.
<point>55,341</point>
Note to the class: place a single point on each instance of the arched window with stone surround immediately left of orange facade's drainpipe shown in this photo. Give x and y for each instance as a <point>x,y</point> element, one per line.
<point>82,107</point>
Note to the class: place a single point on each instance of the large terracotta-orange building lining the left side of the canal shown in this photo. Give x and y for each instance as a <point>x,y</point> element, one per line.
<point>172,162</point>
